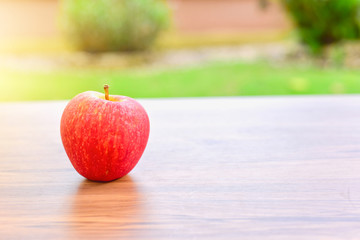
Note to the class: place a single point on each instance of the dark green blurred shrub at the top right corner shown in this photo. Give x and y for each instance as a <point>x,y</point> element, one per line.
<point>324,22</point>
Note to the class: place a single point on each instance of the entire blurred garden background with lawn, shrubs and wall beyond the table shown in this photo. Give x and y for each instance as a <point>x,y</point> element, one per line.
<point>55,49</point>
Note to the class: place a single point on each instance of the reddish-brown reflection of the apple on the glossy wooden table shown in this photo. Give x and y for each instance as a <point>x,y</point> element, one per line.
<point>106,210</point>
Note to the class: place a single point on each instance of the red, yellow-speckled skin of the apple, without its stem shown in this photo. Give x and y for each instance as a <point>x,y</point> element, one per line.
<point>104,139</point>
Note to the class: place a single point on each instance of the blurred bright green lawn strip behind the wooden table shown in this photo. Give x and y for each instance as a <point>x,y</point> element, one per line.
<point>215,79</point>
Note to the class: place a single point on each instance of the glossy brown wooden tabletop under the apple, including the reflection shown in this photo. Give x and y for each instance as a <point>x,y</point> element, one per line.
<point>216,168</point>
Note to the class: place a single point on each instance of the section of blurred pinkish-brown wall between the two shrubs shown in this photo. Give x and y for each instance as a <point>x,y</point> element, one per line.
<point>226,16</point>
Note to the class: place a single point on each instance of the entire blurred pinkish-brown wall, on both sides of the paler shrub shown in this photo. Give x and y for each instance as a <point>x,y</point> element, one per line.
<point>38,18</point>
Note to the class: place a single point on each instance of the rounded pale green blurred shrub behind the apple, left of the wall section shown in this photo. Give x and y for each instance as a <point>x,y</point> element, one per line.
<point>113,25</point>
